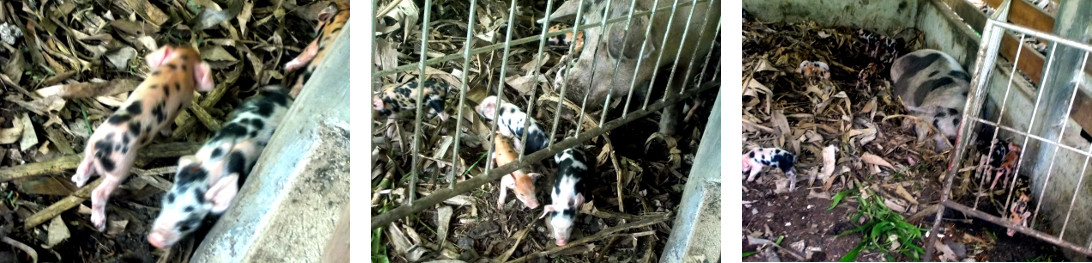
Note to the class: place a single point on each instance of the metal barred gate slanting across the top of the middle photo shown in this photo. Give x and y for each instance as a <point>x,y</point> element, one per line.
<point>633,111</point>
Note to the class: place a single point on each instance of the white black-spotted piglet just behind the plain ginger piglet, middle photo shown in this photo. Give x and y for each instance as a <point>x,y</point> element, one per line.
<point>512,123</point>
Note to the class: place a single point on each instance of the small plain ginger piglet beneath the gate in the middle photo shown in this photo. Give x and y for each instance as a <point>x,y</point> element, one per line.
<point>524,185</point>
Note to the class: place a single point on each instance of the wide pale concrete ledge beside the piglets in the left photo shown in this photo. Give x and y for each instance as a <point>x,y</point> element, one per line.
<point>289,207</point>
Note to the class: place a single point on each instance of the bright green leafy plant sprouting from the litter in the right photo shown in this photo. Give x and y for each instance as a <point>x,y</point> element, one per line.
<point>885,231</point>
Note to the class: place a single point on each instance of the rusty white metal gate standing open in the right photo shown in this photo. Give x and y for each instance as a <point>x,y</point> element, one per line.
<point>1048,145</point>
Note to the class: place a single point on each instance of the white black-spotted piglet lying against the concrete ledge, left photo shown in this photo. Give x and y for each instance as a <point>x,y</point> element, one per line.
<point>207,183</point>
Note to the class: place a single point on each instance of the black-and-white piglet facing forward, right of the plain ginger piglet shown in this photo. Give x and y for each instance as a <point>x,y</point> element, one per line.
<point>567,196</point>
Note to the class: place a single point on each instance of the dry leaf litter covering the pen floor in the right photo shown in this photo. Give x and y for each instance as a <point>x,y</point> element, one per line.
<point>849,134</point>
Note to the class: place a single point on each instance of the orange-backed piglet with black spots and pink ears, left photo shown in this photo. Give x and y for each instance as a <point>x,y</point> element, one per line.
<point>176,73</point>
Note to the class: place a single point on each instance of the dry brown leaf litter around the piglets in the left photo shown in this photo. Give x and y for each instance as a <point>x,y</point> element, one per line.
<point>68,65</point>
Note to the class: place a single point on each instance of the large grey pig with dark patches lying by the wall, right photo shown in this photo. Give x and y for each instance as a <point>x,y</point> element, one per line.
<point>934,87</point>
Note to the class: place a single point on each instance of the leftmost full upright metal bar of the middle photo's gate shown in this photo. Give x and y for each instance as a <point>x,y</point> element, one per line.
<point>421,97</point>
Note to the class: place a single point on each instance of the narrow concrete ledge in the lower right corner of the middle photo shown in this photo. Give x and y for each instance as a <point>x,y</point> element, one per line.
<point>701,208</point>
